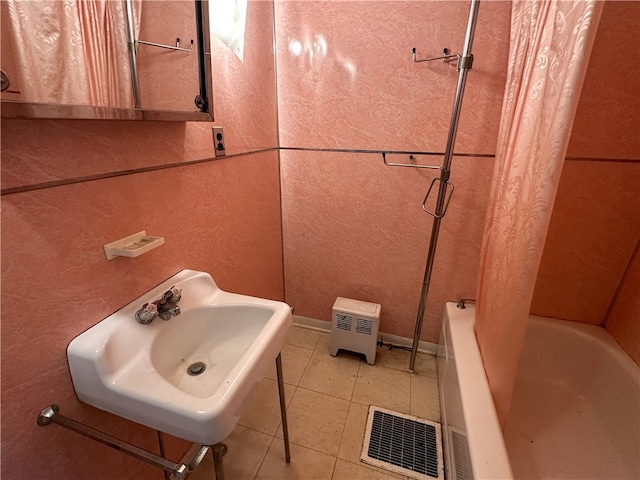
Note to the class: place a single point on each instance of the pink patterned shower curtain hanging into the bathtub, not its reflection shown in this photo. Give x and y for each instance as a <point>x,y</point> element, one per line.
<point>551,42</point>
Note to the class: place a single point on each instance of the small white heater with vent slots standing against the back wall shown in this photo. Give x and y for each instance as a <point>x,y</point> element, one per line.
<point>354,327</point>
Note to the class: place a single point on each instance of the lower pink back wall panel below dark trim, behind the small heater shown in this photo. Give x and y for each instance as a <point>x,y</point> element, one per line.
<point>354,227</point>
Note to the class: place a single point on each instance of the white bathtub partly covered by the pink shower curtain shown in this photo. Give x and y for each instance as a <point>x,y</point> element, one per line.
<point>575,410</point>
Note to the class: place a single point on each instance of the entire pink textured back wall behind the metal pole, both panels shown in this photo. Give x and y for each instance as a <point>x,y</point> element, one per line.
<point>352,226</point>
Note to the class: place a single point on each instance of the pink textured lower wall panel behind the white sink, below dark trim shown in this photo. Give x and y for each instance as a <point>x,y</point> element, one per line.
<point>221,217</point>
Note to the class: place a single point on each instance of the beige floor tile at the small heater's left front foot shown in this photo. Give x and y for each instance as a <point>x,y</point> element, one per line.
<point>334,376</point>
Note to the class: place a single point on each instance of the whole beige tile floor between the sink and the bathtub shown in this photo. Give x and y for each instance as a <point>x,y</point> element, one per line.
<point>327,403</point>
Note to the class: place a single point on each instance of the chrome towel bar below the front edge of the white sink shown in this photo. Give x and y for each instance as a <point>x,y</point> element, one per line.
<point>50,415</point>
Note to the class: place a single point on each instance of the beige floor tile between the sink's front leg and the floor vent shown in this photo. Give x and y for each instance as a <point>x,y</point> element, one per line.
<point>316,420</point>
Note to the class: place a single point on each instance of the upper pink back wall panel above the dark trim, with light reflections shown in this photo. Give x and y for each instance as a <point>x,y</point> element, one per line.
<point>346,78</point>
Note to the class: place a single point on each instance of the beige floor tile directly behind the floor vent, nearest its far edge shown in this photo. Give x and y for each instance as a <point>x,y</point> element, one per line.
<point>383,387</point>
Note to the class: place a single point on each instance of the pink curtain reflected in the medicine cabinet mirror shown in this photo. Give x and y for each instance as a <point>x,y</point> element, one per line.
<point>73,52</point>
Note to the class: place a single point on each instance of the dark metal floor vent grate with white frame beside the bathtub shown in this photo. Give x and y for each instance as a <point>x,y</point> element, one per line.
<point>403,444</point>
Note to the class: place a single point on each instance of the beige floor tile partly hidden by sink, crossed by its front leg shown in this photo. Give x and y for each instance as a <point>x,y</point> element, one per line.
<point>262,408</point>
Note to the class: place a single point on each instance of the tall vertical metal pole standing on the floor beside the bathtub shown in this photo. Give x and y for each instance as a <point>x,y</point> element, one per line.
<point>464,64</point>
